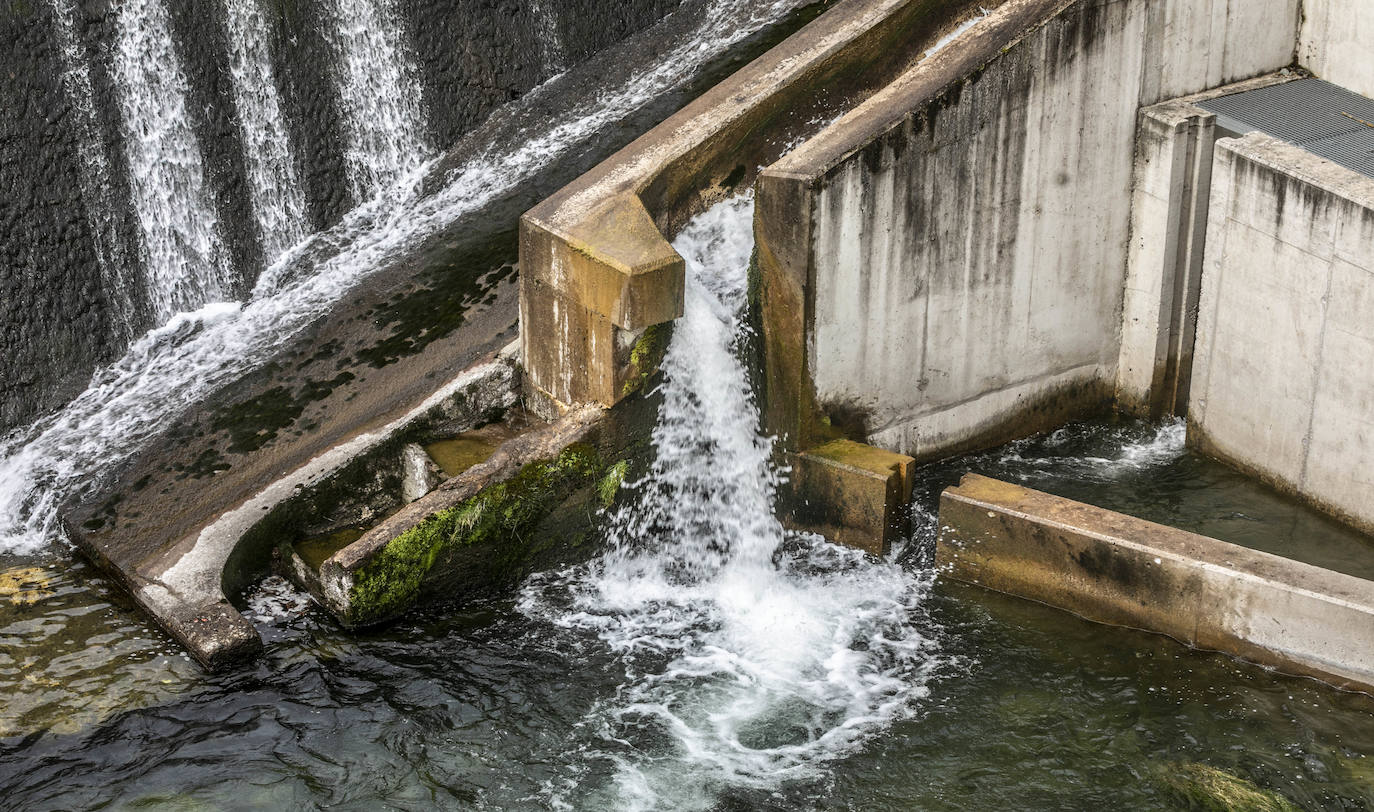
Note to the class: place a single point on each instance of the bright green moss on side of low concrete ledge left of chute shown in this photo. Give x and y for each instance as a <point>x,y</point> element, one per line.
<point>501,526</point>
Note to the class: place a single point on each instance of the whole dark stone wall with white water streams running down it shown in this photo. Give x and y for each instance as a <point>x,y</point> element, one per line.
<point>163,155</point>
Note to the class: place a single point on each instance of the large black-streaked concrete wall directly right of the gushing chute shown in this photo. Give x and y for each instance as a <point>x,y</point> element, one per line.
<point>951,255</point>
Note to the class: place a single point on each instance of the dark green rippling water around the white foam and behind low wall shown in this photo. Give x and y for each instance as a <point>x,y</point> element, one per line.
<point>480,707</point>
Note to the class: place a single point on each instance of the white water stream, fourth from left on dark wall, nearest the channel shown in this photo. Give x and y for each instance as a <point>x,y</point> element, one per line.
<point>380,95</point>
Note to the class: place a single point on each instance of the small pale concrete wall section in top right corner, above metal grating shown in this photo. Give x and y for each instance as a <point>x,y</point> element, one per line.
<point>1335,43</point>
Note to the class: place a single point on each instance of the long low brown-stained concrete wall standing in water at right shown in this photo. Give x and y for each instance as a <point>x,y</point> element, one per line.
<point>1116,569</point>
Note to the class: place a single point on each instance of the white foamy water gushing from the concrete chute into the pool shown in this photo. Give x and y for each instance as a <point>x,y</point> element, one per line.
<point>751,657</point>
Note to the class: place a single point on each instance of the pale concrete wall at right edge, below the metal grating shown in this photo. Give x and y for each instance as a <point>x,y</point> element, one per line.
<point>1284,381</point>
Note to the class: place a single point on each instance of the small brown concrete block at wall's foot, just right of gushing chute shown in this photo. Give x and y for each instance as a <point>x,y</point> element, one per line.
<point>854,494</point>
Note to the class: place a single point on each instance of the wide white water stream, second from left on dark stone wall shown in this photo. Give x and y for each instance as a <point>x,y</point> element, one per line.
<point>185,259</point>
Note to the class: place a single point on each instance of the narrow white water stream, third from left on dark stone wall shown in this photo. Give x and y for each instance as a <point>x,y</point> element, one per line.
<point>277,196</point>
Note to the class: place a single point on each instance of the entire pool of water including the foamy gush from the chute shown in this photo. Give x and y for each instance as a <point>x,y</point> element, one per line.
<point>701,660</point>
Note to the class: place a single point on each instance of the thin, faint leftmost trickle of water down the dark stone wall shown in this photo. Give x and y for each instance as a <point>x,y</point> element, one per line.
<point>98,193</point>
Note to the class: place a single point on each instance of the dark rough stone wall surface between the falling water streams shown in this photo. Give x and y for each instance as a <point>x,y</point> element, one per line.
<point>61,314</point>
